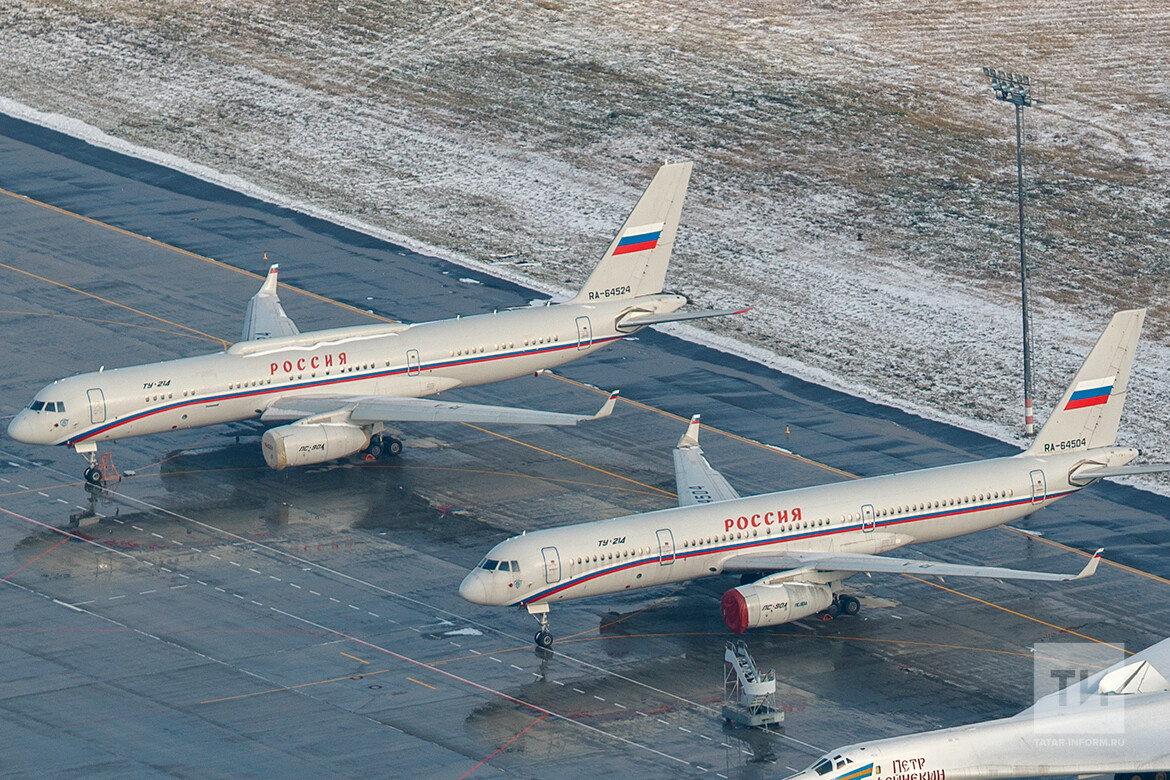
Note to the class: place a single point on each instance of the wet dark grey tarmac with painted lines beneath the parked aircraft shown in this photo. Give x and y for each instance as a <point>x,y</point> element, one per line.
<point>207,617</point>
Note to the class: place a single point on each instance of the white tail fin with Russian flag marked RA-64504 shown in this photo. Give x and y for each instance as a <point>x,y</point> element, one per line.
<point>1090,411</point>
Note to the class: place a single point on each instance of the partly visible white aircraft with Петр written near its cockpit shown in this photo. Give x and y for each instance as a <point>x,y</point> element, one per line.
<point>1116,722</point>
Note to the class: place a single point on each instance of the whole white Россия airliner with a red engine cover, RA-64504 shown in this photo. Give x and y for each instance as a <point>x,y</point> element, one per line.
<point>804,543</point>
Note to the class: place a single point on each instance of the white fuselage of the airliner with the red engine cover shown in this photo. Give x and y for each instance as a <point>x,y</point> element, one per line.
<point>865,516</point>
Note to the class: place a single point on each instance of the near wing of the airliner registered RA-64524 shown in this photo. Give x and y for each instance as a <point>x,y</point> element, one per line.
<point>363,410</point>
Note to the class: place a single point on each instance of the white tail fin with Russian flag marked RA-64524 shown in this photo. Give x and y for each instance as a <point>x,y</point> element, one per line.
<point>636,263</point>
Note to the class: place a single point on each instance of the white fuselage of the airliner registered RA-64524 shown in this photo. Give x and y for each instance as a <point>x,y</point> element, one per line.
<point>388,360</point>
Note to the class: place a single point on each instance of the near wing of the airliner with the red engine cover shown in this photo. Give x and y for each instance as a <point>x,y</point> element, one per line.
<point>859,563</point>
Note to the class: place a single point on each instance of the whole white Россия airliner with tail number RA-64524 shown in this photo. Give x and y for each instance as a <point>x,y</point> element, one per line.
<point>339,388</point>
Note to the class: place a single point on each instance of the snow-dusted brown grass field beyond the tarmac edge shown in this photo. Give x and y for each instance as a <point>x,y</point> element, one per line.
<point>855,178</point>
